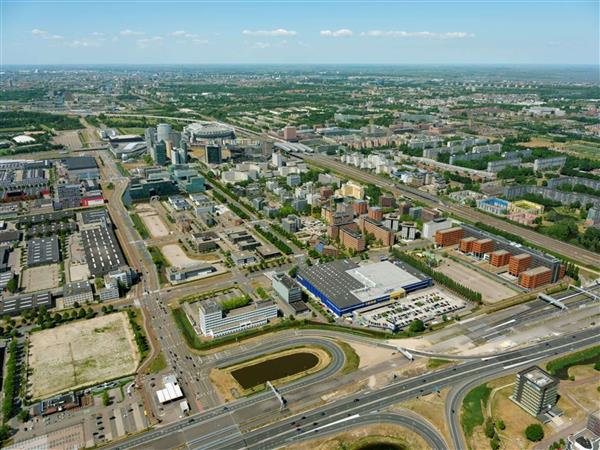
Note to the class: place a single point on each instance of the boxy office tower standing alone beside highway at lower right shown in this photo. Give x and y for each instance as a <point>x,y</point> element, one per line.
<point>535,390</point>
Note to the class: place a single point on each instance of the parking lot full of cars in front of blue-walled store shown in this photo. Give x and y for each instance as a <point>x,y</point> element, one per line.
<point>429,306</point>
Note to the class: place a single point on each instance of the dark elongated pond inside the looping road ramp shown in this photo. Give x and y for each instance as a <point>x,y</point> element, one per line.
<point>274,369</point>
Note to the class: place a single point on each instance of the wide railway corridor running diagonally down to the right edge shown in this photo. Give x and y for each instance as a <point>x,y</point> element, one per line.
<point>570,251</point>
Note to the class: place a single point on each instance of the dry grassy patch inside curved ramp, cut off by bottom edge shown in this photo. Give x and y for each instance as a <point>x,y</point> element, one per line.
<point>360,436</point>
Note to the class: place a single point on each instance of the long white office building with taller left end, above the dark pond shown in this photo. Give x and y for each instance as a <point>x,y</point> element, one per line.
<point>214,322</point>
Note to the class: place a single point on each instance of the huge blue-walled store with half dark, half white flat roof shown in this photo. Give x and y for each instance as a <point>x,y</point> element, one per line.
<point>345,286</point>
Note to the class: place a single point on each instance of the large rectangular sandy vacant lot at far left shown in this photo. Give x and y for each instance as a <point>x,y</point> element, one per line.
<point>82,353</point>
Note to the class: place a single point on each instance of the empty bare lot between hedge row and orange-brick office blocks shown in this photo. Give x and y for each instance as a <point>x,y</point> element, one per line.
<point>492,291</point>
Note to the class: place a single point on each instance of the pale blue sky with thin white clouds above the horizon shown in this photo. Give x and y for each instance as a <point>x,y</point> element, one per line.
<point>300,32</point>
